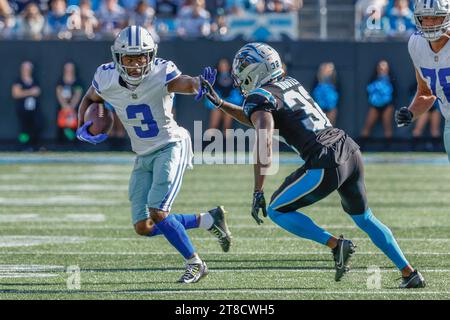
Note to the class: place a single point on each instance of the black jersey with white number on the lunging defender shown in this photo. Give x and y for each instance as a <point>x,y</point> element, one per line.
<point>301,123</point>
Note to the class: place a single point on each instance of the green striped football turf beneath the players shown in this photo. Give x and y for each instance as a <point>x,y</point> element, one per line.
<point>57,218</point>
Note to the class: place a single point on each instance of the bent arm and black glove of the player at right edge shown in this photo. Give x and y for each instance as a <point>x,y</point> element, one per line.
<point>422,102</point>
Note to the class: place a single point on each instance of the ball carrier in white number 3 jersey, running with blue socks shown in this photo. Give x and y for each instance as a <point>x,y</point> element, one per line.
<point>140,89</point>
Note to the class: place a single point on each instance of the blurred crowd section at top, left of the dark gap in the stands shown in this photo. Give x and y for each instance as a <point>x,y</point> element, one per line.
<point>99,19</point>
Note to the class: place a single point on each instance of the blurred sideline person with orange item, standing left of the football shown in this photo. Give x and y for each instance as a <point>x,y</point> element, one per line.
<point>68,94</point>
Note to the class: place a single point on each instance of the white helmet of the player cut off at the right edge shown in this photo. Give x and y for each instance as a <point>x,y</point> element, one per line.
<point>432,8</point>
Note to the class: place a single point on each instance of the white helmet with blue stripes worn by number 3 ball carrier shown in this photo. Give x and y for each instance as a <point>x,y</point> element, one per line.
<point>134,40</point>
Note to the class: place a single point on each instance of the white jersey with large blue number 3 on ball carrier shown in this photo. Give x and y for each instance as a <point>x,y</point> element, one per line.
<point>146,112</point>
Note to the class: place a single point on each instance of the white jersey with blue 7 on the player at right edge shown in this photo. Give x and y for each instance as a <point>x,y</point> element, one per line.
<point>434,68</point>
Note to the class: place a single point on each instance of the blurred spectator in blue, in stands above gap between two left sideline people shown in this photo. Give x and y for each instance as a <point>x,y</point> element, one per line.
<point>56,24</point>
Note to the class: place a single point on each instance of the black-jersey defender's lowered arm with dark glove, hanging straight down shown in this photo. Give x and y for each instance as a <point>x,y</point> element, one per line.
<point>264,125</point>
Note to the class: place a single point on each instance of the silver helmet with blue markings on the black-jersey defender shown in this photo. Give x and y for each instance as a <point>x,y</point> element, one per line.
<point>254,65</point>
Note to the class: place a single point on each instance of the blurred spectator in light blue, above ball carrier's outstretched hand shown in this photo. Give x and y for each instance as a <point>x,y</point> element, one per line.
<point>194,20</point>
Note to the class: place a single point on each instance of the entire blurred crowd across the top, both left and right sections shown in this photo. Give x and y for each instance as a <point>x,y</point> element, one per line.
<point>167,19</point>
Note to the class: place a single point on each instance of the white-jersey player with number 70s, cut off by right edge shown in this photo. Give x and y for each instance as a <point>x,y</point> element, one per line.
<point>430,53</point>
